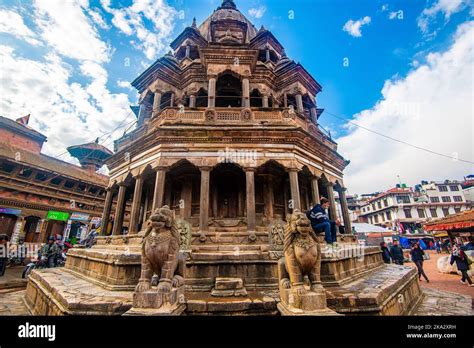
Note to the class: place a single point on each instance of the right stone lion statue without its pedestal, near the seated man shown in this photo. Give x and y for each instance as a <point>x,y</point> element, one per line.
<point>302,256</point>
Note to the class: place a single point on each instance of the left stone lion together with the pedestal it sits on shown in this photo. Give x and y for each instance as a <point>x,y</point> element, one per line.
<point>160,256</point>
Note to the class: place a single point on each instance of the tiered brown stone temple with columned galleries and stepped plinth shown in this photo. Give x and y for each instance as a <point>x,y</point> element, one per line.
<point>228,138</point>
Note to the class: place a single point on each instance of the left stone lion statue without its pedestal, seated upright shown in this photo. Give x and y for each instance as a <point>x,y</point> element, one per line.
<point>160,253</point>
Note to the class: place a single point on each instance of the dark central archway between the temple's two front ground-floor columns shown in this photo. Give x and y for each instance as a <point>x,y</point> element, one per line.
<point>228,191</point>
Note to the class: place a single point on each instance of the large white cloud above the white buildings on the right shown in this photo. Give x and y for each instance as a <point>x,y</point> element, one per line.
<point>432,108</point>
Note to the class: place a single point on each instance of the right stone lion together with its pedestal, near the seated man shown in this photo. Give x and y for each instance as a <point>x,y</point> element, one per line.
<point>302,258</point>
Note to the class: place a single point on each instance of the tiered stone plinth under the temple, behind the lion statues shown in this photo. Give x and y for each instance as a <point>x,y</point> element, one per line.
<point>101,281</point>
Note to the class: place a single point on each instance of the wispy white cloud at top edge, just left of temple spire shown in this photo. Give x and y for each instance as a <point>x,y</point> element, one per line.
<point>131,21</point>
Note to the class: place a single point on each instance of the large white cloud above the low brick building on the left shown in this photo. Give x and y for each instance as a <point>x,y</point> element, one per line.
<point>67,113</point>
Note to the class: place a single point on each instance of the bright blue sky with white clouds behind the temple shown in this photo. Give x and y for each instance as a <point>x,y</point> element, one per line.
<point>90,50</point>
